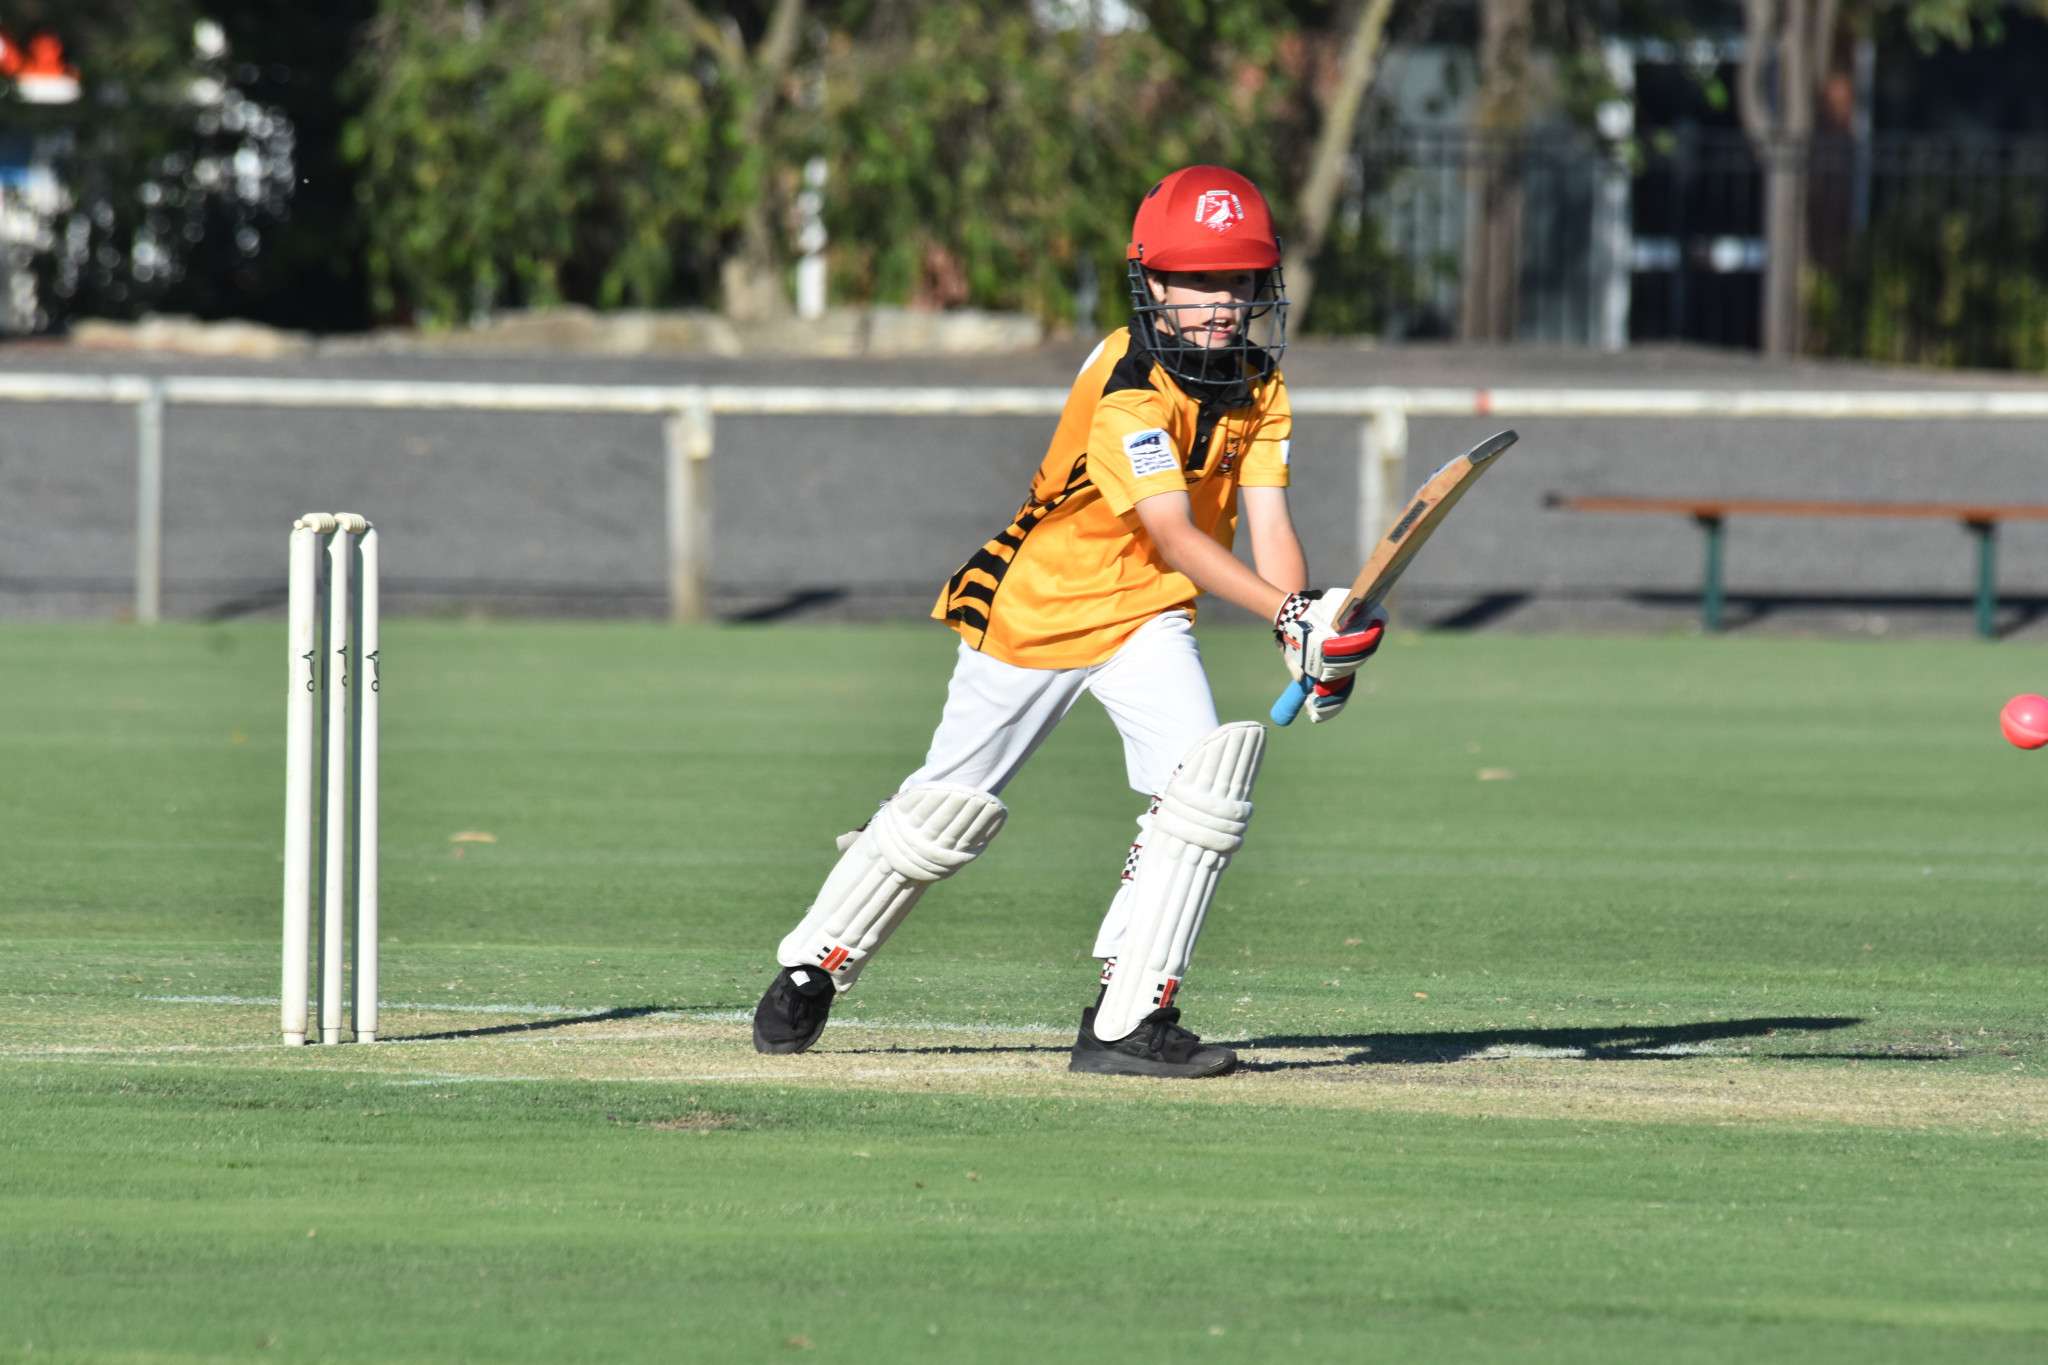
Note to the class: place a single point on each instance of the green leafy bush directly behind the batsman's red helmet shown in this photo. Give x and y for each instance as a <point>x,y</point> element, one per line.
<point>978,157</point>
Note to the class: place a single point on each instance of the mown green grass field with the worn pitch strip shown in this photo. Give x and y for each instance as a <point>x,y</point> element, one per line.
<point>1605,1000</point>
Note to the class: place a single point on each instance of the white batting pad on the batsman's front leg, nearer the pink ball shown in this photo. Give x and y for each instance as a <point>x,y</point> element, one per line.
<point>1199,824</point>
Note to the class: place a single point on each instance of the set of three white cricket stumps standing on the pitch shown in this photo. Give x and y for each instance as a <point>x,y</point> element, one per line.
<point>331,773</point>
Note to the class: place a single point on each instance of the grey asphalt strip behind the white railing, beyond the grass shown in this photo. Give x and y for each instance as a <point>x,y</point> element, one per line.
<point>851,519</point>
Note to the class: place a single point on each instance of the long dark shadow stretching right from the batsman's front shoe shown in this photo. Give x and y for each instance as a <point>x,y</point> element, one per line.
<point>1617,1045</point>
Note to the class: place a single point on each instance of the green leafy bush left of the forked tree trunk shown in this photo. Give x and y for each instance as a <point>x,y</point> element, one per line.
<point>536,152</point>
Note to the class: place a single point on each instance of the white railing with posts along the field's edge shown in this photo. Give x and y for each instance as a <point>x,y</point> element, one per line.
<point>691,414</point>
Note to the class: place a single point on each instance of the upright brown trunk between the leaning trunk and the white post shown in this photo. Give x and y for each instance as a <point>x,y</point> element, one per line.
<point>1494,183</point>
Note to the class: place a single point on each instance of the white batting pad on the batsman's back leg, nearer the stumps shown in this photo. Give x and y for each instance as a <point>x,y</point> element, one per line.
<point>923,836</point>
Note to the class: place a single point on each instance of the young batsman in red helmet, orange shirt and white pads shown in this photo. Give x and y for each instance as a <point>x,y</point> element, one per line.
<point>1177,431</point>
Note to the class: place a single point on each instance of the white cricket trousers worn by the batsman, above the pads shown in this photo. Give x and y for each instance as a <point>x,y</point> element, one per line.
<point>998,715</point>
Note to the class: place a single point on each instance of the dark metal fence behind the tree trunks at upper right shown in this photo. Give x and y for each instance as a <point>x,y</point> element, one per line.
<point>1922,249</point>
